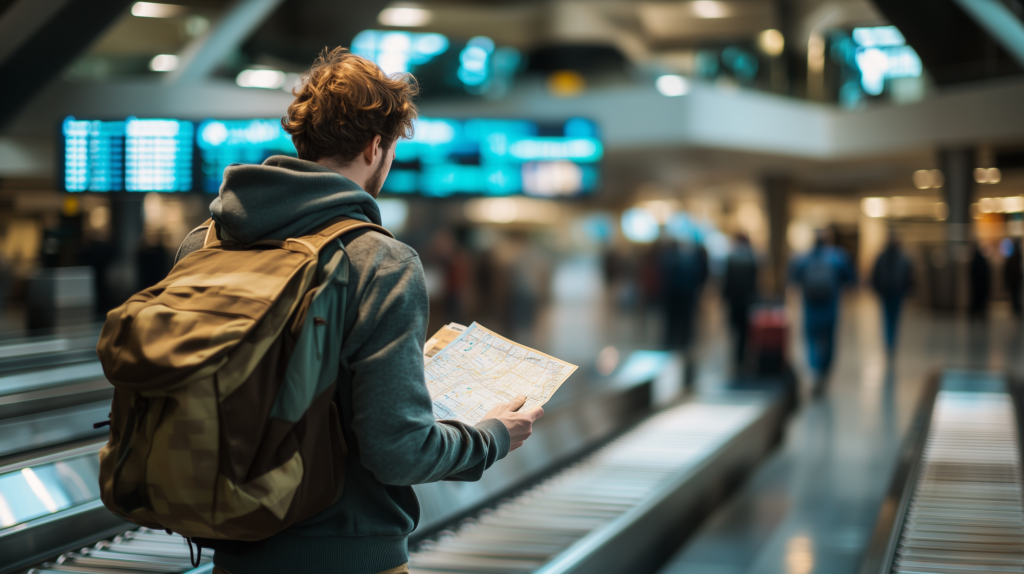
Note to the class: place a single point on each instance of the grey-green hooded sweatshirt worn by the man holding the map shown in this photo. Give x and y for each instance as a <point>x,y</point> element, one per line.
<point>394,440</point>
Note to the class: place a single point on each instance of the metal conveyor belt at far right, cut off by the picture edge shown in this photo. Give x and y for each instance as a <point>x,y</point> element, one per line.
<point>956,503</point>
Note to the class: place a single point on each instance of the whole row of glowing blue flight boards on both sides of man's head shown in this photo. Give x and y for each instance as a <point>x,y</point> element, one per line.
<point>446,157</point>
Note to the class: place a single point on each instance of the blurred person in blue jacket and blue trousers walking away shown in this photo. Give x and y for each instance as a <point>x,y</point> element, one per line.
<point>822,275</point>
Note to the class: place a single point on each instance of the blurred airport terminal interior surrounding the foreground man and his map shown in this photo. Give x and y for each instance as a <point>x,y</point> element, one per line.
<point>780,239</point>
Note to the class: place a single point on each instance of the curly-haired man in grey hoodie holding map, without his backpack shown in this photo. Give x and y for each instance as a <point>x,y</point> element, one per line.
<point>345,122</point>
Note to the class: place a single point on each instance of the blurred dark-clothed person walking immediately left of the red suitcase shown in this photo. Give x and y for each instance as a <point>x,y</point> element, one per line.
<point>740,290</point>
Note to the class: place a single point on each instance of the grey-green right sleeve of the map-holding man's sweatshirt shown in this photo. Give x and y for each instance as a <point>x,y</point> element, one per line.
<point>399,439</point>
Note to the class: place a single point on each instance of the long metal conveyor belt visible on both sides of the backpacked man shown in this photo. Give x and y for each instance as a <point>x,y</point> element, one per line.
<point>618,473</point>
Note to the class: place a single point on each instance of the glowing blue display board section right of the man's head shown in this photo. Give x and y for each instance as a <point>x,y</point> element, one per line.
<point>498,158</point>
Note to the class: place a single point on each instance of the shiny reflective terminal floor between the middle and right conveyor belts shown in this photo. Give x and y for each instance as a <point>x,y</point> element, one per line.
<point>813,506</point>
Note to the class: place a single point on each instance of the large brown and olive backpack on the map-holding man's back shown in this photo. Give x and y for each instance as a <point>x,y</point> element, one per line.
<point>224,424</point>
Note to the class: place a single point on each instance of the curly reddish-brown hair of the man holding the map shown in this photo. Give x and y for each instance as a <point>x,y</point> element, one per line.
<point>344,103</point>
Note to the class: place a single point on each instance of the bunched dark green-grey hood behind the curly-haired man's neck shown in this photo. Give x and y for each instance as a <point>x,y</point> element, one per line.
<point>287,198</point>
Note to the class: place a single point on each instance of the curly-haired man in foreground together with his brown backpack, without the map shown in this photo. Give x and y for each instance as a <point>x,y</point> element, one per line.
<point>270,396</point>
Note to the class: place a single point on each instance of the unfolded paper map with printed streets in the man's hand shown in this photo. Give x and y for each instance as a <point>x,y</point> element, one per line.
<point>480,370</point>
